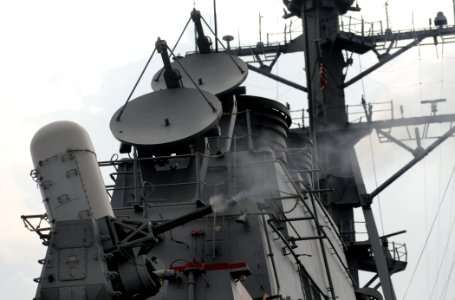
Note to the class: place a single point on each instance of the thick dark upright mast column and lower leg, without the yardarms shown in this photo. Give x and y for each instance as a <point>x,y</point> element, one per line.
<point>327,107</point>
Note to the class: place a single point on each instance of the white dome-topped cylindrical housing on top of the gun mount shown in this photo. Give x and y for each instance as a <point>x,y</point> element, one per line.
<point>68,173</point>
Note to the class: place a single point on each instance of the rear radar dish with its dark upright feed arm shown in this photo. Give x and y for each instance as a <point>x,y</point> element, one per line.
<point>216,73</point>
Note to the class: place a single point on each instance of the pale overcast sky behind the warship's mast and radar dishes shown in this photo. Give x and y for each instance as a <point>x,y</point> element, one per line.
<point>78,60</point>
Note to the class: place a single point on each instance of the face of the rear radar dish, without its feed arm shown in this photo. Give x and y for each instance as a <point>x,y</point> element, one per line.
<point>216,73</point>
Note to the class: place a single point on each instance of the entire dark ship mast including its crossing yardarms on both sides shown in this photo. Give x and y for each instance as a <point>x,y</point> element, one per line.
<point>333,137</point>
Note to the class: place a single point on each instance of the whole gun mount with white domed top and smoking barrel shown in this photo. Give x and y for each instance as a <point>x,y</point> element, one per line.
<point>91,253</point>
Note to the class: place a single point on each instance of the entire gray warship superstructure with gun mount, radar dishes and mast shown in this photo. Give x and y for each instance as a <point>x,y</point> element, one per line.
<point>215,195</point>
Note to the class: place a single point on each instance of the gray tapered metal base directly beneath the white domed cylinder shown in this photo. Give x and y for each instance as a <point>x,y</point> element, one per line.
<point>72,268</point>
